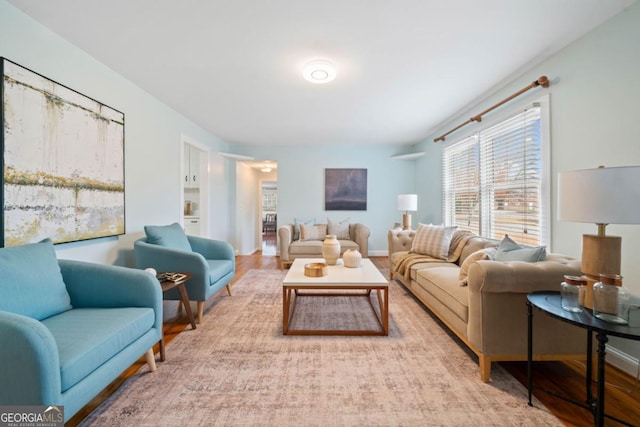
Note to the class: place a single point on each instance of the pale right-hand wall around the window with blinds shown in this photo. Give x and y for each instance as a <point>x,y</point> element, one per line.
<point>594,92</point>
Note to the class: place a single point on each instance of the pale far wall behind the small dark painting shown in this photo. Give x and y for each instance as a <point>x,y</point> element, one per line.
<point>301,184</point>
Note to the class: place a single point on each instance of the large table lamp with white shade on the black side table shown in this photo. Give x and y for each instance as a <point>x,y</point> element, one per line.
<point>601,196</point>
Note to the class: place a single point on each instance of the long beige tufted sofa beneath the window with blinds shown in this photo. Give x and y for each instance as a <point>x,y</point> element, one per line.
<point>489,314</point>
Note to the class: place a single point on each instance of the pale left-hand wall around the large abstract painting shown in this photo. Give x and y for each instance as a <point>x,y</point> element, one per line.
<point>152,137</point>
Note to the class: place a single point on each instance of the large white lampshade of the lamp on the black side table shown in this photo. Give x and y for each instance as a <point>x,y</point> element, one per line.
<point>600,196</point>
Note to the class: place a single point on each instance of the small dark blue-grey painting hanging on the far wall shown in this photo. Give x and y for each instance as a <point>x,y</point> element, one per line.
<point>345,190</point>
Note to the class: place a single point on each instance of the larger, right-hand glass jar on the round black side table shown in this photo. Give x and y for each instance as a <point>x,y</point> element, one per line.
<point>611,299</point>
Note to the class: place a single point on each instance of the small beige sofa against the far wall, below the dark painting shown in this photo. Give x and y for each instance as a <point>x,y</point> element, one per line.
<point>291,249</point>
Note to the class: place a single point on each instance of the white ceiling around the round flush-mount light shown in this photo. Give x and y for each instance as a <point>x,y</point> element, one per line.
<point>403,67</point>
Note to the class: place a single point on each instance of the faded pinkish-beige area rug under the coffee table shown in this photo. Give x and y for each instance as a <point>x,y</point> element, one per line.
<point>238,369</point>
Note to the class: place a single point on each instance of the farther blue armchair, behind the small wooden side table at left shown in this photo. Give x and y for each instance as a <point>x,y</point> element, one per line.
<point>168,249</point>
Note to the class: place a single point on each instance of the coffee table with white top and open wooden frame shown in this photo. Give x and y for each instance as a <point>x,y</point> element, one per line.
<point>362,281</point>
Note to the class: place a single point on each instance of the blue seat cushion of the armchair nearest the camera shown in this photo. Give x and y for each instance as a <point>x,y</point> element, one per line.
<point>88,337</point>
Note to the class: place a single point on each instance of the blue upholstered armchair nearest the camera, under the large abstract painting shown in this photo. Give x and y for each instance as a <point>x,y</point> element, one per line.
<point>69,328</point>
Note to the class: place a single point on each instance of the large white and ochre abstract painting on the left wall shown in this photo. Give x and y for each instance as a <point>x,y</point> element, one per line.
<point>63,162</point>
